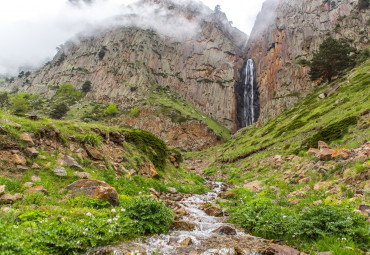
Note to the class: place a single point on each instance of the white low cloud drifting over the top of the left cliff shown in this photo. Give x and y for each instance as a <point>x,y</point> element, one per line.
<point>28,43</point>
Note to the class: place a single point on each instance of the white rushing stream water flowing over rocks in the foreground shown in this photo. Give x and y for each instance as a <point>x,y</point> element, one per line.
<point>204,240</point>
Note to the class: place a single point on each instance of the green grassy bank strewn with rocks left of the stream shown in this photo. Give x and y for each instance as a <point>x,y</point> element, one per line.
<point>56,221</point>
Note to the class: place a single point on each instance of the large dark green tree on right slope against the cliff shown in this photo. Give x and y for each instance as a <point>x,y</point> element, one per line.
<point>333,57</point>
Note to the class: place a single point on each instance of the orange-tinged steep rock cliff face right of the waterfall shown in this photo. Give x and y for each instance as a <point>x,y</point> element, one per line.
<point>287,31</point>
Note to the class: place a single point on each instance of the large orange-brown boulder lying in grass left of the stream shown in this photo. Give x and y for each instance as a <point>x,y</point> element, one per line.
<point>95,189</point>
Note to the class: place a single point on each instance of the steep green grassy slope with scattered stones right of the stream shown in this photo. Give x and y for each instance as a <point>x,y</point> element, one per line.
<point>281,192</point>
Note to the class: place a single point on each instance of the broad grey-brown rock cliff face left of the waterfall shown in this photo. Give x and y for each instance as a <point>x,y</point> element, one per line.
<point>123,63</point>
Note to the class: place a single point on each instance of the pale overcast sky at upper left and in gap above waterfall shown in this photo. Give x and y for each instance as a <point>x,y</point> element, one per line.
<point>31,29</point>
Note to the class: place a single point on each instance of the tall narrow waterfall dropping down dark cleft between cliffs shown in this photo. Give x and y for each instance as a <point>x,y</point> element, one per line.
<point>248,98</point>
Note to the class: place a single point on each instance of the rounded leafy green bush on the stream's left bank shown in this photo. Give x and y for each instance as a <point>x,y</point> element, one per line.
<point>149,215</point>
